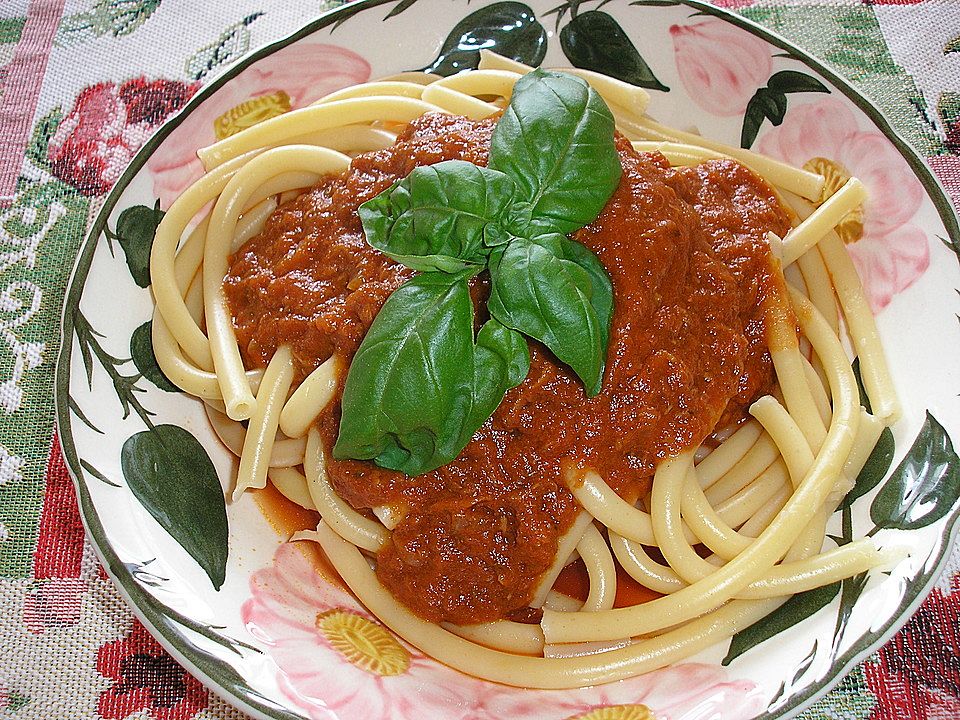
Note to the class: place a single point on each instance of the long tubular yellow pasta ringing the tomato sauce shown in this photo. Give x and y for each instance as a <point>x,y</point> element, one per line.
<point>755,498</point>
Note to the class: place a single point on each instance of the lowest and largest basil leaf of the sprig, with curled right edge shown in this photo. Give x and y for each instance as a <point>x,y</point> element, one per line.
<point>418,387</point>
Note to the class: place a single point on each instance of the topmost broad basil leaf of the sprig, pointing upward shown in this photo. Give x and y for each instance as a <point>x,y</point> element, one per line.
<point>555,140</point>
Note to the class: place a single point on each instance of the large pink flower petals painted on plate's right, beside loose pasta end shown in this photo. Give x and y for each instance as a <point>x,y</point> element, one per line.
<point>892,252</point>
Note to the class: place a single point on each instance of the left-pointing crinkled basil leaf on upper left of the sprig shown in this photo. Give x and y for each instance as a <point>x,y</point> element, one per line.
<point>438,216</point>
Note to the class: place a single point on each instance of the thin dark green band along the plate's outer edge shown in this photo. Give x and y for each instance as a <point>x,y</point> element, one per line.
<point>219,675</point>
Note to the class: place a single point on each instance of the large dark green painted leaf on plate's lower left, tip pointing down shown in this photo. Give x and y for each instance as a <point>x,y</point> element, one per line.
<point>170,473</point>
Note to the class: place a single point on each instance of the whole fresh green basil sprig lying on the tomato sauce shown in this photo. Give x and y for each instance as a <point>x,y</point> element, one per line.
<point>421,383</point>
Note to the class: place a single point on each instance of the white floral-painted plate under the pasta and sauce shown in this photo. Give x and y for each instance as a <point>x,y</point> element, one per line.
<point>269,639</point>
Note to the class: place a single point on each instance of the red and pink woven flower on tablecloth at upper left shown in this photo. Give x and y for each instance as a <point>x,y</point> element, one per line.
<point>107,125</point>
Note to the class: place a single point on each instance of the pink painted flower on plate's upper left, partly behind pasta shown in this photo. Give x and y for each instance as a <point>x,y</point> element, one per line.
<point>291,77</point>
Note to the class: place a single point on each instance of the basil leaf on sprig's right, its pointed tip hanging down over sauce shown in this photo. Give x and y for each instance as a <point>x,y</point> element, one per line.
<point>536,290</point>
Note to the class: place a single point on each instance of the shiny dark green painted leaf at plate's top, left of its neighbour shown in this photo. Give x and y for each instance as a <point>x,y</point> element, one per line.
<point>508,28</point>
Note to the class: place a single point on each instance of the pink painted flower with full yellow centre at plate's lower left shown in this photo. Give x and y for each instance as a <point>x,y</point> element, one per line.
<point>334,656</point>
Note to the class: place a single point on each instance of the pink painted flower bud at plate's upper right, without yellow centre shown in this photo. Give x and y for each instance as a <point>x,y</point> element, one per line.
<point>720,65</point>
